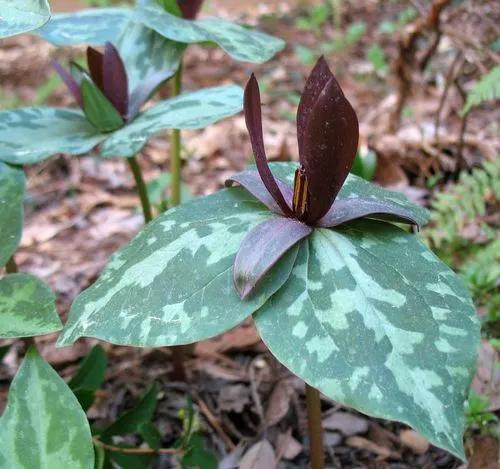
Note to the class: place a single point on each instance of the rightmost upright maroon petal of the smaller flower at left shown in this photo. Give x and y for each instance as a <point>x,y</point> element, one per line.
<point>115,79</point>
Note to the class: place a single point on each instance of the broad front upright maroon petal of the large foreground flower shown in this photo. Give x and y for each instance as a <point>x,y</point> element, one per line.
<point>330,141</point>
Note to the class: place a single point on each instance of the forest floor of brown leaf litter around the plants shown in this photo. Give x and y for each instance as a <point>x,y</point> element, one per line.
<point>80,210</point>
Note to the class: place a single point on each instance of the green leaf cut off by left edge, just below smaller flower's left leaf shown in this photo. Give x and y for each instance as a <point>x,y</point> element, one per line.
<point>12,186</point>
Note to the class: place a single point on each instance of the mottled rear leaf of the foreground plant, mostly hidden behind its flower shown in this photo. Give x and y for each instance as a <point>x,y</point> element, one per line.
<point>358,187</point>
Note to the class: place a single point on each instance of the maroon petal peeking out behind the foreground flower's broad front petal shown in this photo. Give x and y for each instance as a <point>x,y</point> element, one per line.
<point>315,83</point>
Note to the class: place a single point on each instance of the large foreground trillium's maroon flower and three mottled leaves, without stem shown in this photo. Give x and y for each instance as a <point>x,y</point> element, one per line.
<point>349,301</point>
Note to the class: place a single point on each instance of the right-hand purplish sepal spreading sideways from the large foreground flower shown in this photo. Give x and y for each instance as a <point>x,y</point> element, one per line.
<point>344,210</point>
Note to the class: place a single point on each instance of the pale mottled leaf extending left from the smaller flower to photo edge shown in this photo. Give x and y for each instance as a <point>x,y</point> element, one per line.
<point>28,135</point>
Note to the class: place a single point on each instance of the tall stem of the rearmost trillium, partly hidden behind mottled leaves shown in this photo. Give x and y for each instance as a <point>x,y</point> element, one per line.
<point>178,352</point>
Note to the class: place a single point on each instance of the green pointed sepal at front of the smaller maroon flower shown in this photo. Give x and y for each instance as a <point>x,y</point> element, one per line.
<point>98,108</point>
